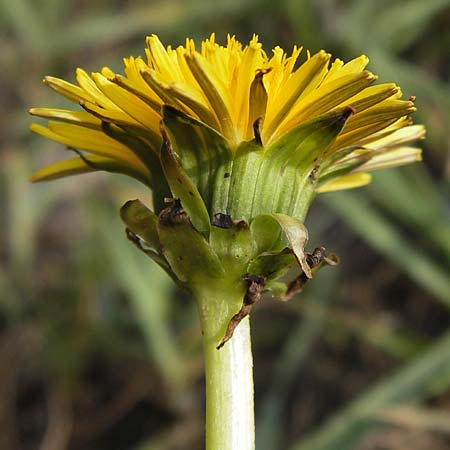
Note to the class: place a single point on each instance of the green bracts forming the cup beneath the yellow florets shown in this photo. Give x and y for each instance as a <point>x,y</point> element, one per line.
<point>231,217</point>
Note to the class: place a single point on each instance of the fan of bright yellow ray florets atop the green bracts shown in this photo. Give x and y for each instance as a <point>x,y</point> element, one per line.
<point>229,88</point>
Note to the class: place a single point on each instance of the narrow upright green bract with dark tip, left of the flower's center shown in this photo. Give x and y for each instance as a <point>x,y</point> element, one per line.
<point>183,188</point>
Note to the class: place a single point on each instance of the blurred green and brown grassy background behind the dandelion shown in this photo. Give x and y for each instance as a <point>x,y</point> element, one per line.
<point>99,351</point>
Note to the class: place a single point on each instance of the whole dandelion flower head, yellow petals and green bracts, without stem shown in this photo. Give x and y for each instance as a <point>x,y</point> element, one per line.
<point>239,142</point>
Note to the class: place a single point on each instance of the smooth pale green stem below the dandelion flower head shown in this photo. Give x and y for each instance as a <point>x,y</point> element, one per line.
<point>230,421</point>
